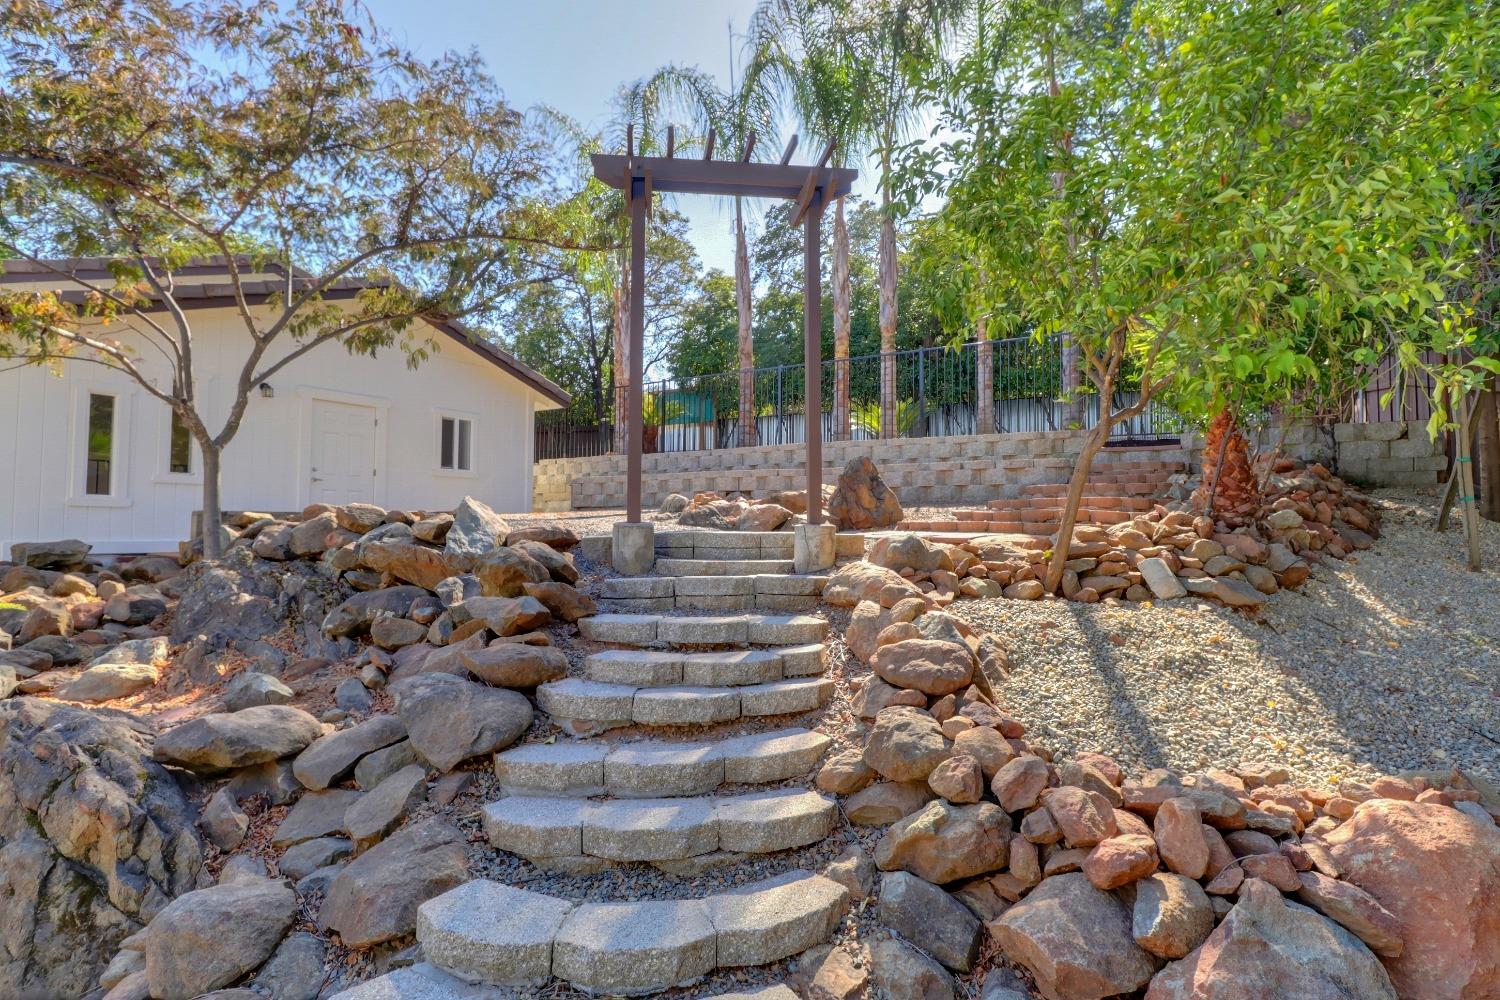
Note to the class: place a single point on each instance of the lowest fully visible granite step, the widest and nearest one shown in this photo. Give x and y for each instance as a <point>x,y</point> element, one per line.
<point>503,936</point>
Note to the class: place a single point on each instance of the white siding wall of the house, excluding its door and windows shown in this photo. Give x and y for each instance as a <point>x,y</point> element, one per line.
<point>268,467</point>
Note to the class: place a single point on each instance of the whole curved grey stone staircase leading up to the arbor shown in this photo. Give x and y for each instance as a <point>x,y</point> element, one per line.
<point>583,804</point>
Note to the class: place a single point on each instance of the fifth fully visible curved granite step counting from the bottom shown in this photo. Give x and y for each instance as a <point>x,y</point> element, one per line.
<point>731,668</point>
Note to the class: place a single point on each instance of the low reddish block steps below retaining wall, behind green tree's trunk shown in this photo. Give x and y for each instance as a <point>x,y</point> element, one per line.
<point>1123,484</point>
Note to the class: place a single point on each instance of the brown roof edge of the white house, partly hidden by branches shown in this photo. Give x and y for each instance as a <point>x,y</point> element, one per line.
<point>196,292</point>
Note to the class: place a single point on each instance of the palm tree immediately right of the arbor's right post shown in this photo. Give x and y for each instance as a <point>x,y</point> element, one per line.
<point>811,61</point>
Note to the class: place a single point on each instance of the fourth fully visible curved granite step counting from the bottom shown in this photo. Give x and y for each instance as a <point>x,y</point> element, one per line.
<point>604,707</point>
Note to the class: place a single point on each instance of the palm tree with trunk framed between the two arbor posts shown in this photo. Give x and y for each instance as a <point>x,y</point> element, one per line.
<point>739,118</point>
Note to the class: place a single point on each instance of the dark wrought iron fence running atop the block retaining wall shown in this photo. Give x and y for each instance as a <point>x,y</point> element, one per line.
<point>937,392</point>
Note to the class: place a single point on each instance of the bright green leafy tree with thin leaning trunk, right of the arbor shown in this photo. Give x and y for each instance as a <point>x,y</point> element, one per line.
<point>1168,188</point>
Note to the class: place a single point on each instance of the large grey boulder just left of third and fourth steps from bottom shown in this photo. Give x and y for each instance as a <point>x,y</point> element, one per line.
<point>451,720</point>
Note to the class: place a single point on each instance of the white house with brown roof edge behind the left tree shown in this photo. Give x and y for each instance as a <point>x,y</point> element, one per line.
<point>88,454</point>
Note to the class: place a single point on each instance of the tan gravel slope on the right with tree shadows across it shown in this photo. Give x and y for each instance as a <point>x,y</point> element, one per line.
<point>1388,662</point>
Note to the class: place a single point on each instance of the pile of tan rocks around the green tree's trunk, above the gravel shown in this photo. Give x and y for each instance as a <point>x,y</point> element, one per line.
<point>1163,555</point>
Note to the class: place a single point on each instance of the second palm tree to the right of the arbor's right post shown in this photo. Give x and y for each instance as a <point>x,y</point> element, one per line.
<point>892,35</point>
